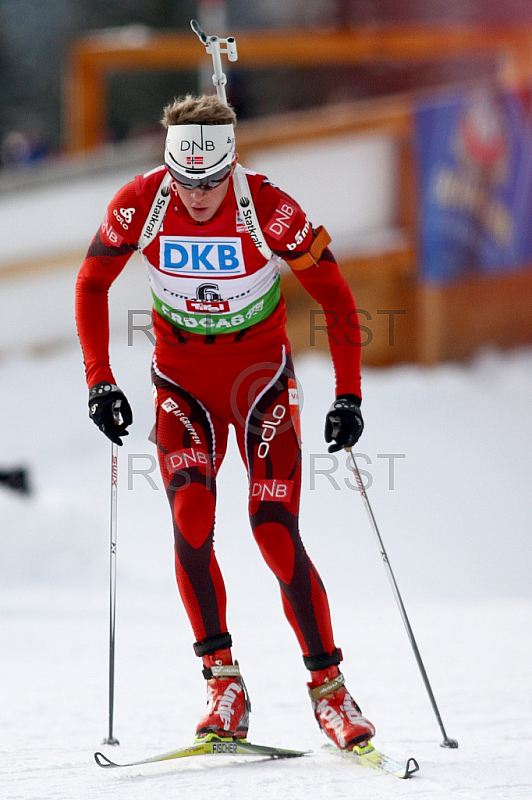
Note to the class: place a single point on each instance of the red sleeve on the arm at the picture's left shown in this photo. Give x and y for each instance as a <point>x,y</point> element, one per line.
<point>108,254</point>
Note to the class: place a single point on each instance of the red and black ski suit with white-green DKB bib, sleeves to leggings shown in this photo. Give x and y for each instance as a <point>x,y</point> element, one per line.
<point>222,357</point>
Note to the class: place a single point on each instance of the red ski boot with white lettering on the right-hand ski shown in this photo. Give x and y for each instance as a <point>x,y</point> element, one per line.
<point>337,714</point>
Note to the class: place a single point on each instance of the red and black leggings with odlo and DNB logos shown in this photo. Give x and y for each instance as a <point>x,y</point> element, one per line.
<point>194,407</point>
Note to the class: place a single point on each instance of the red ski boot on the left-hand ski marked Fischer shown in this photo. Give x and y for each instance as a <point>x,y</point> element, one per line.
<point>228,703</point>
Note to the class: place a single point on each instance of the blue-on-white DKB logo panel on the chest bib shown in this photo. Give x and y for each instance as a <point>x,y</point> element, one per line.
<point>201,255</point>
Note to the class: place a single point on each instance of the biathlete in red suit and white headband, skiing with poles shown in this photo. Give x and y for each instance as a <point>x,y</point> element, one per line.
<point>212,236</point>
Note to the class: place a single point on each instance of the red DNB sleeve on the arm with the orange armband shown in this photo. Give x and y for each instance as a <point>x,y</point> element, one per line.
<point>290,234</point>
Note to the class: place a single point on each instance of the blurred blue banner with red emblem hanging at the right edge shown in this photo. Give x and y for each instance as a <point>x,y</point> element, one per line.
<point>474,155</point>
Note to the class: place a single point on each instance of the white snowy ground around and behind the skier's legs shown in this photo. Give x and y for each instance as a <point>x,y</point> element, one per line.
<point>456,525</point>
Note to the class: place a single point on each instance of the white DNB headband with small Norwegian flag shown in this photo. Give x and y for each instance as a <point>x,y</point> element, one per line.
<point>198,151</point>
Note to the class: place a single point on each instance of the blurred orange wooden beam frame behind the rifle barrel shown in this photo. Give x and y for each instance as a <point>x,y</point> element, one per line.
<point>93,57</point>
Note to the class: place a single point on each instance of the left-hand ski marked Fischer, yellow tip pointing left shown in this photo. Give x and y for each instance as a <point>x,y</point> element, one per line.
<point>210,745</point>
